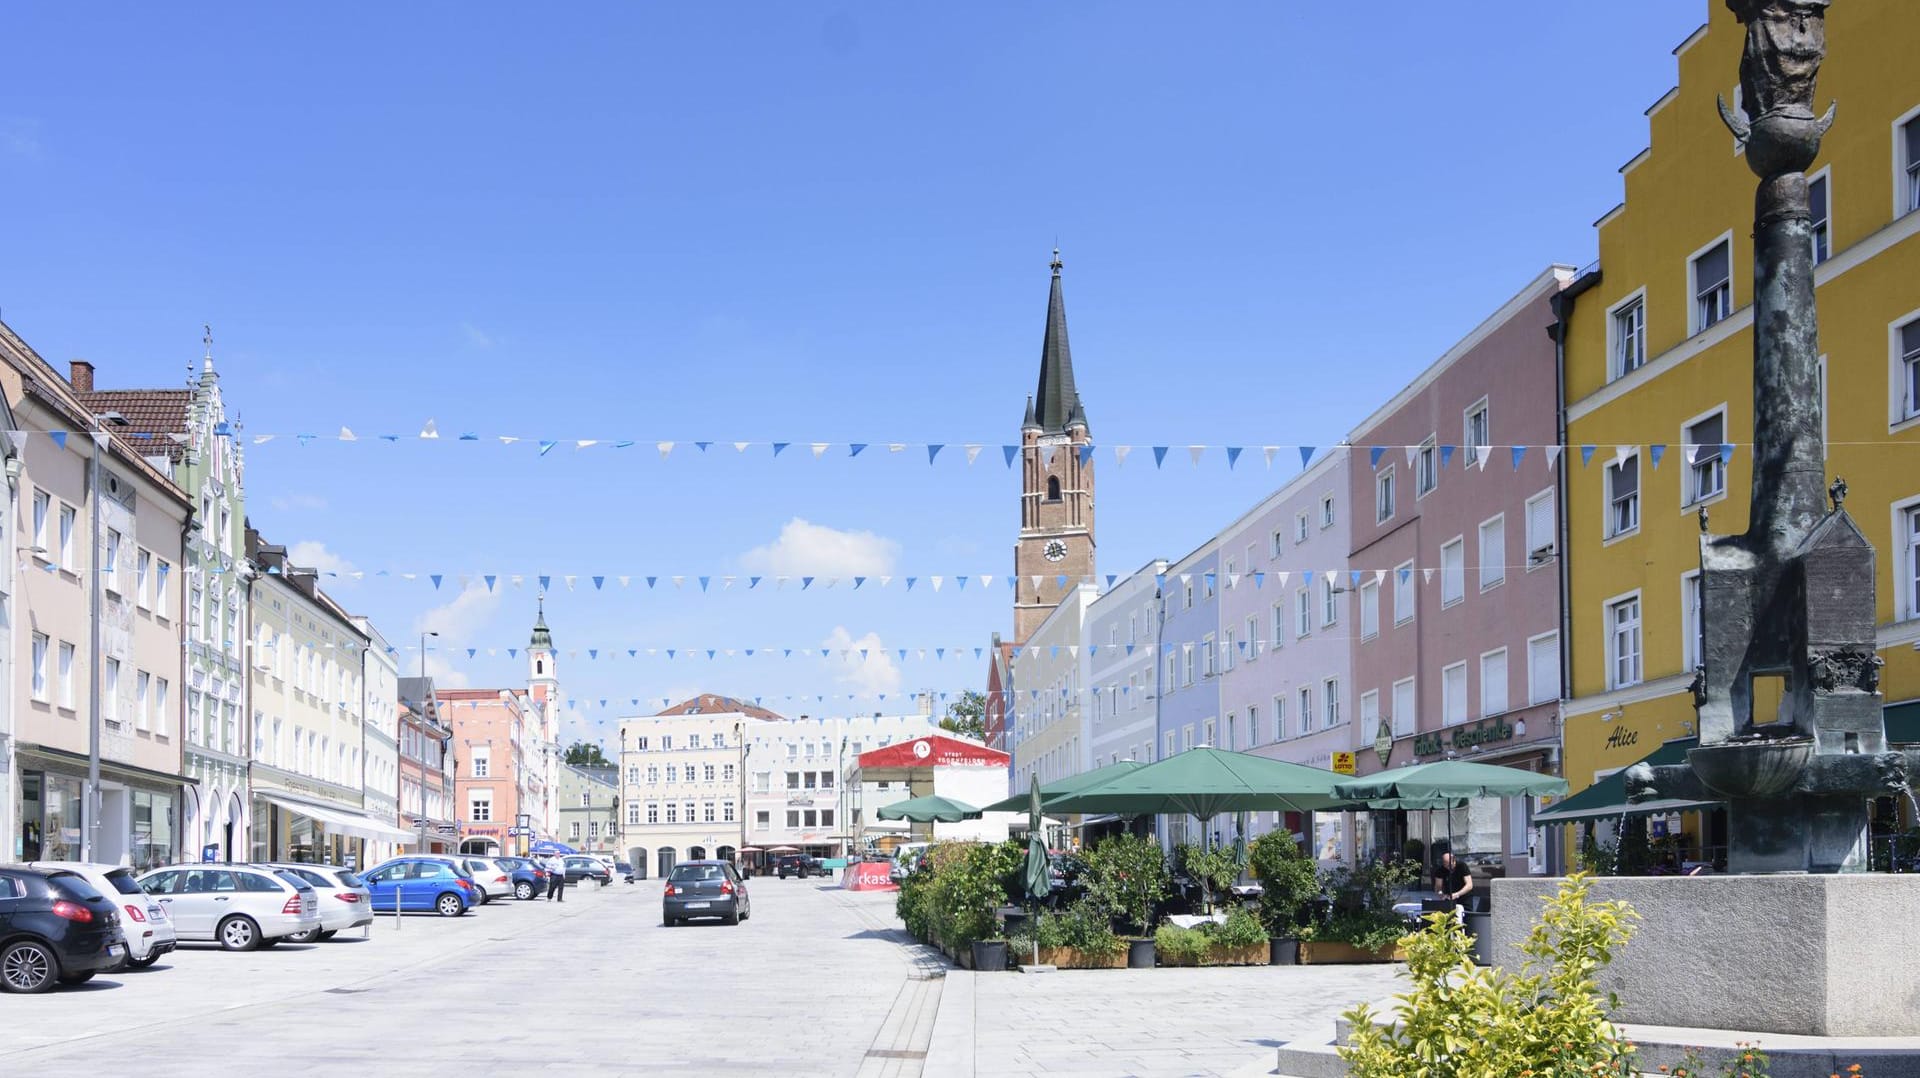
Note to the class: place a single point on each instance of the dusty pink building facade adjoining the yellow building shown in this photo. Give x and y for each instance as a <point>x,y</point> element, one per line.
<point>1456,600</point>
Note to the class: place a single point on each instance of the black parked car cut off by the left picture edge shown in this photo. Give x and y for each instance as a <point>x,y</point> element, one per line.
<point>57,929</point>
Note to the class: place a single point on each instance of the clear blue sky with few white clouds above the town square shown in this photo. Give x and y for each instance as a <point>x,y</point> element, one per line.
<point>800,224</point>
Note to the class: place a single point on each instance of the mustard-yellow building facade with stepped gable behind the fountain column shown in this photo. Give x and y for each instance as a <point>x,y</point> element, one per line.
<point>1660,378</point>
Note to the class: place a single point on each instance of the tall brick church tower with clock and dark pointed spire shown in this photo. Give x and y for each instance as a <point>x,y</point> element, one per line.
<point>1055,481</point>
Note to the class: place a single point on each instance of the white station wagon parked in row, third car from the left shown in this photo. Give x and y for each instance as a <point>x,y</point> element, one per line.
<point>235,906</point>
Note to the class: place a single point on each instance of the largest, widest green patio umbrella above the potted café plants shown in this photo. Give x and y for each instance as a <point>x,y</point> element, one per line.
<point>1205,783</point>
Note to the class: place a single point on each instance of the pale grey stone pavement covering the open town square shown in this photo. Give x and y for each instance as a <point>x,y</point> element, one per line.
<point>817,983</point>
